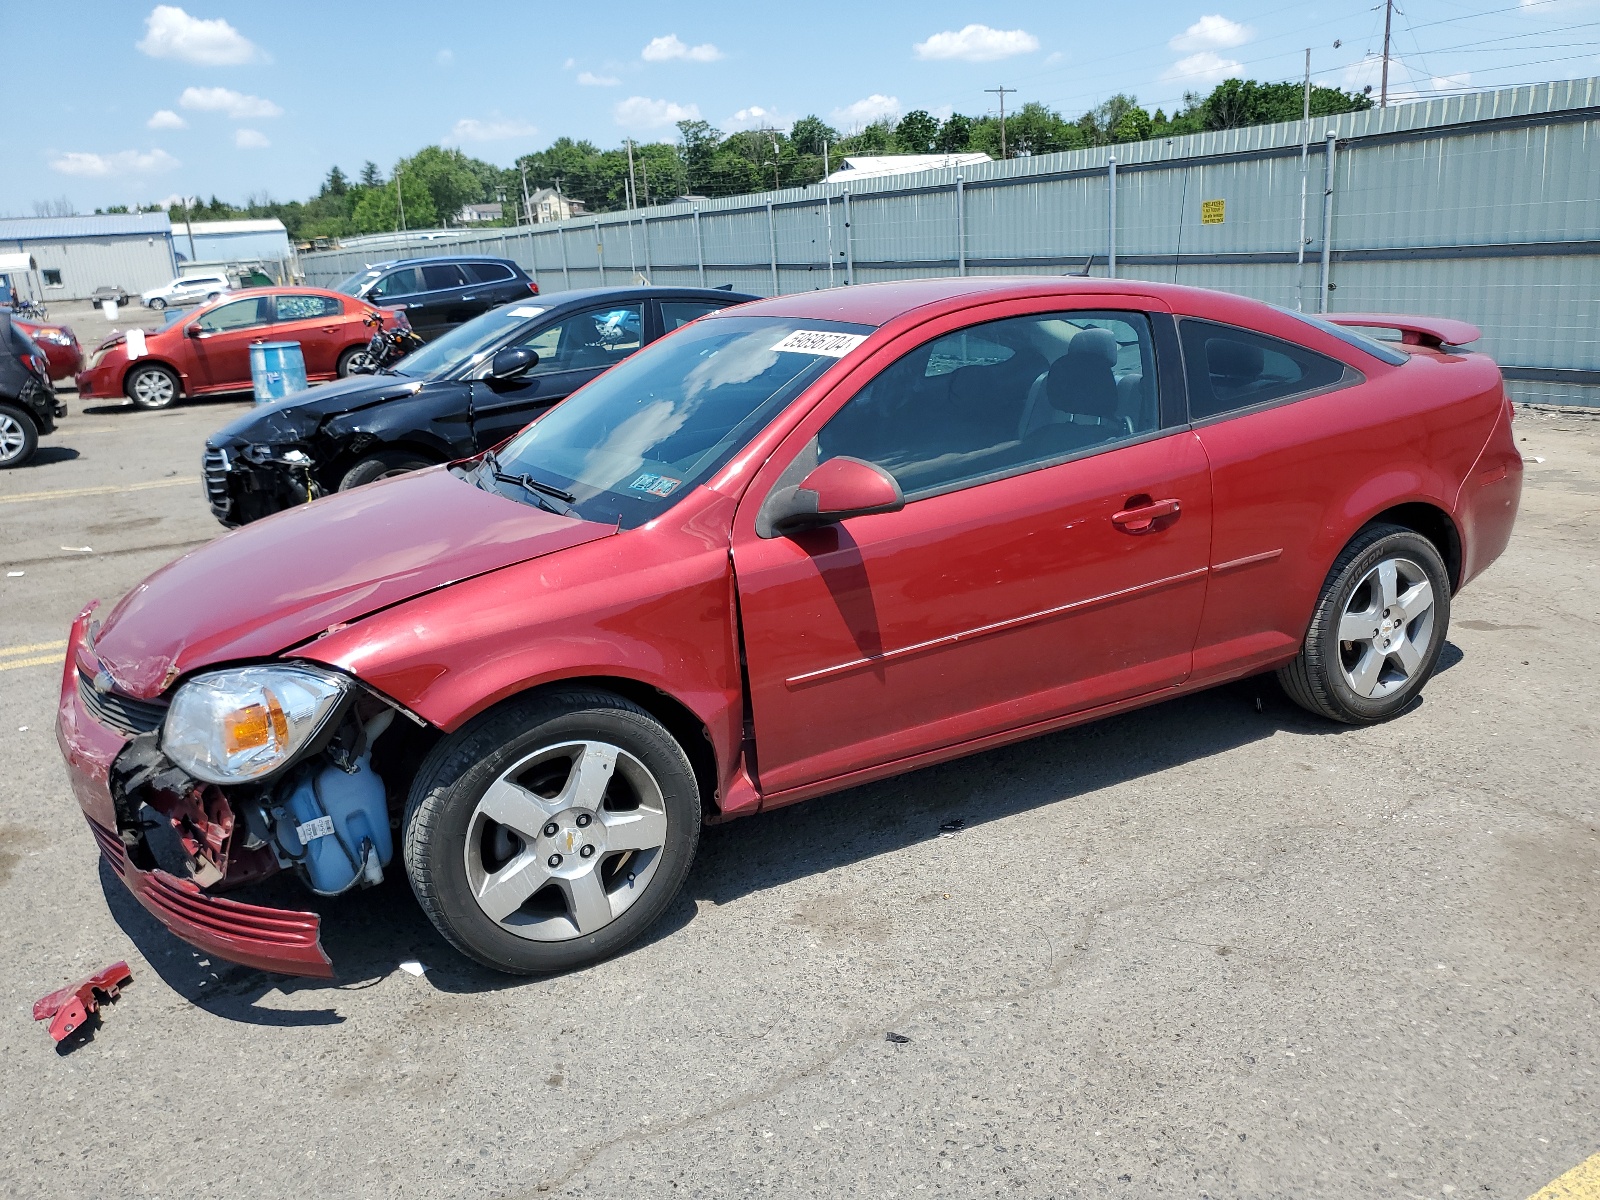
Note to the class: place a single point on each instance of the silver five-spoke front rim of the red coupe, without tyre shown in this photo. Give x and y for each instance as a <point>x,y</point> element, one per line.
<point>566,841</point>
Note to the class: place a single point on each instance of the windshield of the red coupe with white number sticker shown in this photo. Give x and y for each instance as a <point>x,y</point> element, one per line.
<point>636,441</point>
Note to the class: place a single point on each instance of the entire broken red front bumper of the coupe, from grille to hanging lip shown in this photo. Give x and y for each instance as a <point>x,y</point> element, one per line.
<point>273,940</point>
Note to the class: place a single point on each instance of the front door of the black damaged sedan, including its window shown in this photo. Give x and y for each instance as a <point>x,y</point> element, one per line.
<point>572,350</point>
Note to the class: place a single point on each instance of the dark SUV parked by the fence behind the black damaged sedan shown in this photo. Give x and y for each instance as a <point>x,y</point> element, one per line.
<point>441,294</point>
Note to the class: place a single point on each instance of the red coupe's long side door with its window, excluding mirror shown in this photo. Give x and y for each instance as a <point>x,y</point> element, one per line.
<point>1050,558</point>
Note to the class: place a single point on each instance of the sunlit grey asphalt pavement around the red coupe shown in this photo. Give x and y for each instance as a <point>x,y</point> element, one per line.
<point>1217,948</point>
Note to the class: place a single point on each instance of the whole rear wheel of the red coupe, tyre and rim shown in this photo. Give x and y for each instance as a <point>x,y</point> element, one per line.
<point>1377,633</point>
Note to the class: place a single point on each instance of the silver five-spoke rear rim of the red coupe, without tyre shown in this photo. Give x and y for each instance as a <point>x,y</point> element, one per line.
<point>1386,628</point>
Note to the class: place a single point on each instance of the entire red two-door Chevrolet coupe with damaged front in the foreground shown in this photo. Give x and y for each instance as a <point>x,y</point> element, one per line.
<point>793,548</point>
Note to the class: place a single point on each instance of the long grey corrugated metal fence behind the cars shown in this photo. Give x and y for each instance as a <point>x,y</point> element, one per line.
<point>1482,207</point>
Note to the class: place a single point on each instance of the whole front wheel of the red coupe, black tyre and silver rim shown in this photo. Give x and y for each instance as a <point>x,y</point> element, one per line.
<point>551,833</point>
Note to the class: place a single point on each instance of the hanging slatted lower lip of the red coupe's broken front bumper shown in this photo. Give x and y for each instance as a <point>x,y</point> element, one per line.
<point>271,940</point>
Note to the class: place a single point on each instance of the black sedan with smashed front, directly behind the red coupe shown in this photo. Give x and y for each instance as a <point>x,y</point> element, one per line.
<point>462,394</point>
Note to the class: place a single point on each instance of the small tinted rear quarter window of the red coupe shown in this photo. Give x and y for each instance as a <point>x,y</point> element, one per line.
<point>1233,369</point>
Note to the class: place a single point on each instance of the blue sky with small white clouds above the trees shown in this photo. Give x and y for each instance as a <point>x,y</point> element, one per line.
<point>130,102</point>
